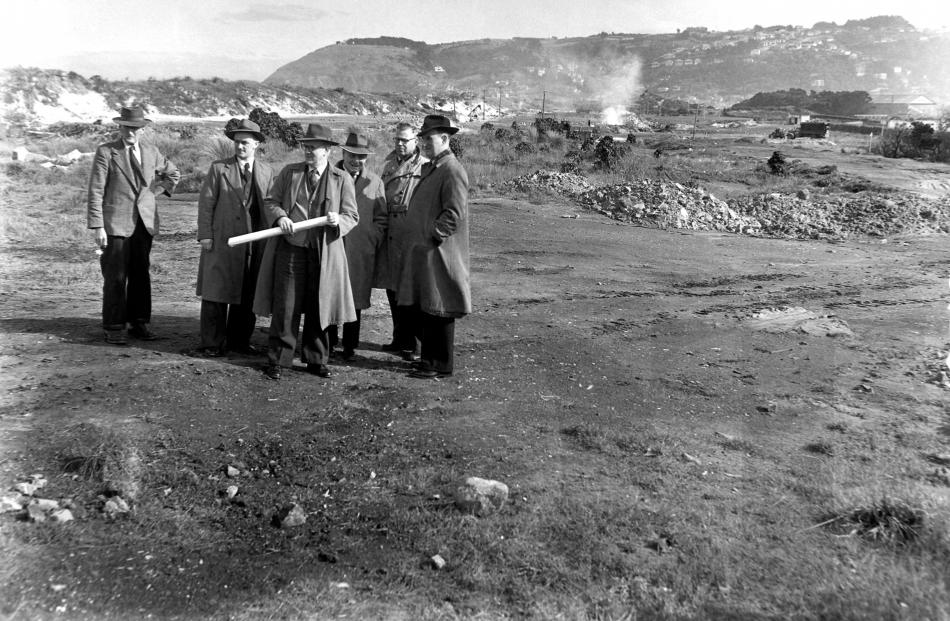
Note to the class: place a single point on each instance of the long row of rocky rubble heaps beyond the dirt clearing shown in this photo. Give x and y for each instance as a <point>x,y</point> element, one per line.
<point>804,215</point>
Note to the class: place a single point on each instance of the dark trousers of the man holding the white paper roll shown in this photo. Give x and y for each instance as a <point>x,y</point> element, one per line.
<point>296,291</point>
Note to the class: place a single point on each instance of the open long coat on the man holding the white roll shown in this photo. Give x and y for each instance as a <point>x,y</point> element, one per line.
<point>336,194</point>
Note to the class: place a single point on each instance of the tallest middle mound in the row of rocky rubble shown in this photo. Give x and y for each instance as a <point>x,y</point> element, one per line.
<point>668,205</point>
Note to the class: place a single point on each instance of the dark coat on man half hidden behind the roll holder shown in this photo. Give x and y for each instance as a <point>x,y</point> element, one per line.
<point>362,242</point>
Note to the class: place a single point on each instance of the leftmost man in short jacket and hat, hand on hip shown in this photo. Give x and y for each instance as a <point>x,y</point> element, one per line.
<point>121,212</point>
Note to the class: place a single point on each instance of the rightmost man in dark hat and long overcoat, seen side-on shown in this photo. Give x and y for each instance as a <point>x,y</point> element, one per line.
<point>435,278</point>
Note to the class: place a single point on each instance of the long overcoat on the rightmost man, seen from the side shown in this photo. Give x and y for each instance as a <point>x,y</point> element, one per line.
<point>436,276</point>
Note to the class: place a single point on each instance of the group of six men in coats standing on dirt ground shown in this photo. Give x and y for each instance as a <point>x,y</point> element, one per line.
<point>405,231</point>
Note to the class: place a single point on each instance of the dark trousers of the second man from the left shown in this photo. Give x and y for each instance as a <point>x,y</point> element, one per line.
<point>230,326</point>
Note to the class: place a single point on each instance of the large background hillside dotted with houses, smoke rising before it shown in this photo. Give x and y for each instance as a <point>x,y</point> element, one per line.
<point>882,54</point>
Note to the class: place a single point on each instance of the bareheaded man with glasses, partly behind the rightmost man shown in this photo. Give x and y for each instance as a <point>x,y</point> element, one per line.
<point>401,170</point>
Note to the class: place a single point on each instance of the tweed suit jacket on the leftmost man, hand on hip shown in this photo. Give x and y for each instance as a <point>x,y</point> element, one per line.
<point>116,192</point>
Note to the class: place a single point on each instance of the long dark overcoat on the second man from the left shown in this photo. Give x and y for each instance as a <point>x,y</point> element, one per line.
<point>222,213</point>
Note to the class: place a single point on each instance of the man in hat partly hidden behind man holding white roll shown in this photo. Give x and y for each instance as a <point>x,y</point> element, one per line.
<point>362,242</point>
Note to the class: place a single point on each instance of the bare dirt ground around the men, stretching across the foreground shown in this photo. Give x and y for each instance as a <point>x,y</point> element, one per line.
<point>584,331</point>
